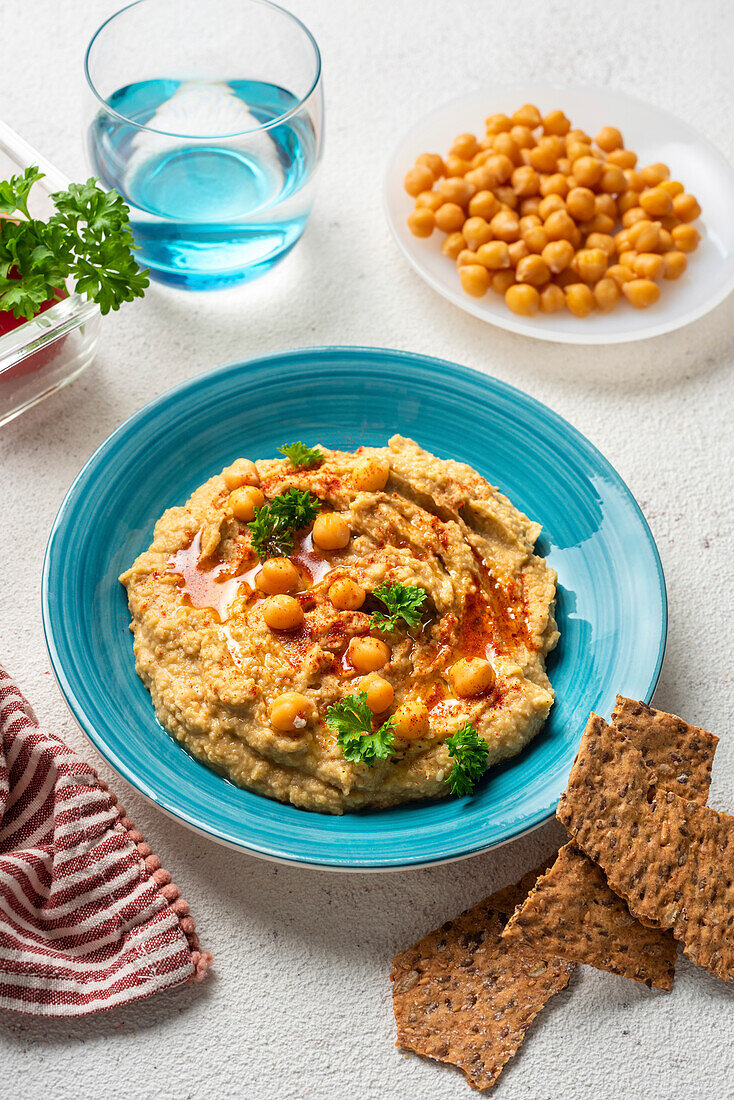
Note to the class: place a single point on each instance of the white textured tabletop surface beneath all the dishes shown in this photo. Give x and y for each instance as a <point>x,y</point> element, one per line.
<point>299,1004</point>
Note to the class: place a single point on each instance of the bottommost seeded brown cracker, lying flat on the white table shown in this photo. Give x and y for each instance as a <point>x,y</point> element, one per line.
<point>464,997</point>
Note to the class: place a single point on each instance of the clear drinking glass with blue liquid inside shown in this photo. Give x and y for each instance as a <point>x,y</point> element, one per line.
<point>209,120</point>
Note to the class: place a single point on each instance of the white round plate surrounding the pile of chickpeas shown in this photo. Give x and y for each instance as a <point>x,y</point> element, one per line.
<point>654,136</point>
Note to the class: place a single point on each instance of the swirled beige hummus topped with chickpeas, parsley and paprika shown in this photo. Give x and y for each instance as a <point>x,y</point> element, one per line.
<point>342,631</point>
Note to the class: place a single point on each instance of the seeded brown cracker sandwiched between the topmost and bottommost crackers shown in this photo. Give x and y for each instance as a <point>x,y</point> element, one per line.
<point>573,912</point>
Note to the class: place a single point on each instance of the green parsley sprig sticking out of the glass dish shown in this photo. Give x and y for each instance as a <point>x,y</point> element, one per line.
<point>87,239</point>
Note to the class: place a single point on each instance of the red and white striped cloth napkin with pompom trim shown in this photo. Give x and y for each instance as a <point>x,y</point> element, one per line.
<point>89,918</point>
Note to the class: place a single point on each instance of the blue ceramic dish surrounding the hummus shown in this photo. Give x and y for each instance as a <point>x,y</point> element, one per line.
<point>611,599</point>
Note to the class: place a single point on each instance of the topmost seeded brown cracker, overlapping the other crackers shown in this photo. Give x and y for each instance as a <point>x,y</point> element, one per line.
<point>671,860</point>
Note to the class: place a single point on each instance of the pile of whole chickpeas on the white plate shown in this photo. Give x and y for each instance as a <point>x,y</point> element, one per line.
<point>553,219</point>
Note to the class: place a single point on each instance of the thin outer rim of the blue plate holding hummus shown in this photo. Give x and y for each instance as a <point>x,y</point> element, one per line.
<point>272,853</point>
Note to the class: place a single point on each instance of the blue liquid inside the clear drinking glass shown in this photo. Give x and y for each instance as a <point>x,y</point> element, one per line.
<point>207,212</point>
